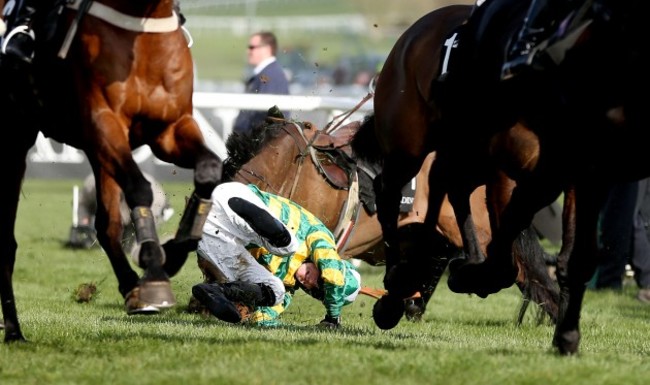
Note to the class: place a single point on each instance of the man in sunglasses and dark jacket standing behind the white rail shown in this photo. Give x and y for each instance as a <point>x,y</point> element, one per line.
<point>268,78</point>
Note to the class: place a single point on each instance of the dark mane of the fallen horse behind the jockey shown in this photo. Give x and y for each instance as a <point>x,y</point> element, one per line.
<point>241,148</point>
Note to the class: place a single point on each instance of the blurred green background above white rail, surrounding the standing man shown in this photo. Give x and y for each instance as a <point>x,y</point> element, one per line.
<point>332,46</point>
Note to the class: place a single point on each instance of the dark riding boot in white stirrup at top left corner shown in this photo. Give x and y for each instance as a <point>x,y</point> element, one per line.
<point>20,40</point>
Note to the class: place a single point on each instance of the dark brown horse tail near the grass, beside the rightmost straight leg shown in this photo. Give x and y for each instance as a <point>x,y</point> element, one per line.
<point>536,284</point>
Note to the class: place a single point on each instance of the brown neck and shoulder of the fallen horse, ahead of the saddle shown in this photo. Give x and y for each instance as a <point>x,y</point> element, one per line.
<point>295,160</point>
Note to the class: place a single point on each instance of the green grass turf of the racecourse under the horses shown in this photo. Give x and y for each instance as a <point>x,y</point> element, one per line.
<point>462,339</point>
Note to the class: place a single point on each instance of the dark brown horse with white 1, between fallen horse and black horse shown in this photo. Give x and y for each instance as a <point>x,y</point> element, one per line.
<point>402,132</point>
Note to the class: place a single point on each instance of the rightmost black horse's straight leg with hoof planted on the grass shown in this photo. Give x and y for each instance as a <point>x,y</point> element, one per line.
<point>574,274</point>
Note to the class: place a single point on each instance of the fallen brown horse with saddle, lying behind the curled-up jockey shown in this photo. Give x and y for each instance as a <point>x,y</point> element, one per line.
<point>303,163</point>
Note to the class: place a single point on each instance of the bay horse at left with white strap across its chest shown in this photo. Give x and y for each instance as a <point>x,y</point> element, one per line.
<point>124,80</point>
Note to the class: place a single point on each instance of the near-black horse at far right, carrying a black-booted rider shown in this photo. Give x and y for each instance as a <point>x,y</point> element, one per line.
<point>589,132</point>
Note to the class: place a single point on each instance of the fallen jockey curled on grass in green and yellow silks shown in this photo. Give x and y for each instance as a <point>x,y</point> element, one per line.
<point>259,248</point>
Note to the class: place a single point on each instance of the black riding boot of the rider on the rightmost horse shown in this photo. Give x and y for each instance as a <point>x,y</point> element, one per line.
<point>536,28</point>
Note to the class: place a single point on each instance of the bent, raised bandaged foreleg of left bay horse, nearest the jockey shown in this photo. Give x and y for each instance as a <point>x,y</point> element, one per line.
<point>183,144</point>
